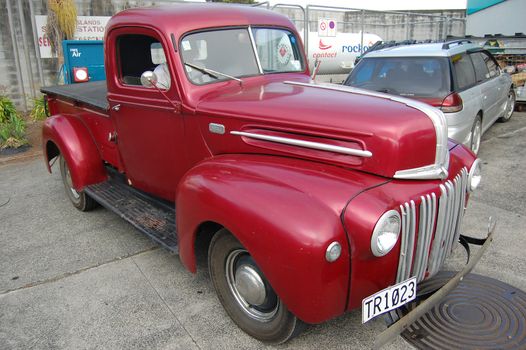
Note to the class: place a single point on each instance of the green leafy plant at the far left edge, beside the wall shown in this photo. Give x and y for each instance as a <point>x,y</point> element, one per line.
<point>12,126</point>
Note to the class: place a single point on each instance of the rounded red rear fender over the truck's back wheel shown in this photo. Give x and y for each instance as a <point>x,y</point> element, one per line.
<point>75,144</point>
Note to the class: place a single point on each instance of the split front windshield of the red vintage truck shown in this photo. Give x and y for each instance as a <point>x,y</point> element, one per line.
<point>230,52</point>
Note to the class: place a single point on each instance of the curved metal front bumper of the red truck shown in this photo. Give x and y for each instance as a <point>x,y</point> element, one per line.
<point>398,327</point>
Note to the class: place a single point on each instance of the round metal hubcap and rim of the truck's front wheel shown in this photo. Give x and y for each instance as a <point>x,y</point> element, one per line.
<point>249,287</point>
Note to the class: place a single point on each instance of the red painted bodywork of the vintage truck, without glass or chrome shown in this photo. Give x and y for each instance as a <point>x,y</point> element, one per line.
<point>284,203</point>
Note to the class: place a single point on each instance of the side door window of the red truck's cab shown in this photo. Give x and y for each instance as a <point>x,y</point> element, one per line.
<point>137,54</point>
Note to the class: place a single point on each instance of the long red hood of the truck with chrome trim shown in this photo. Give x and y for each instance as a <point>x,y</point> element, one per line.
<point>380,134</point>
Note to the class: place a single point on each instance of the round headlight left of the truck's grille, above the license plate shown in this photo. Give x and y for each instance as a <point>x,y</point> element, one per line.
<point>386,232</point>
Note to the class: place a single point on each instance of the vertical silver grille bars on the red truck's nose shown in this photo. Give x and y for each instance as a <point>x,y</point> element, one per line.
<point>439,221</point>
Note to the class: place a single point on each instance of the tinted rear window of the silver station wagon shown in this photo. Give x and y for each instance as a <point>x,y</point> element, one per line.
<point>405,76</point>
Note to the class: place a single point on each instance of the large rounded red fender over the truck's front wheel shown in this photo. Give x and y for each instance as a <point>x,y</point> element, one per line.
<point>285,212</point>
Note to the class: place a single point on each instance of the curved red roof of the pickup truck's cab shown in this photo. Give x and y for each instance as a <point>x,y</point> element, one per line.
<point>181,18</point>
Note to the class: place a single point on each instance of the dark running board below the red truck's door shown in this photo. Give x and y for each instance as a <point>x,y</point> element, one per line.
<point>153,217</point>
